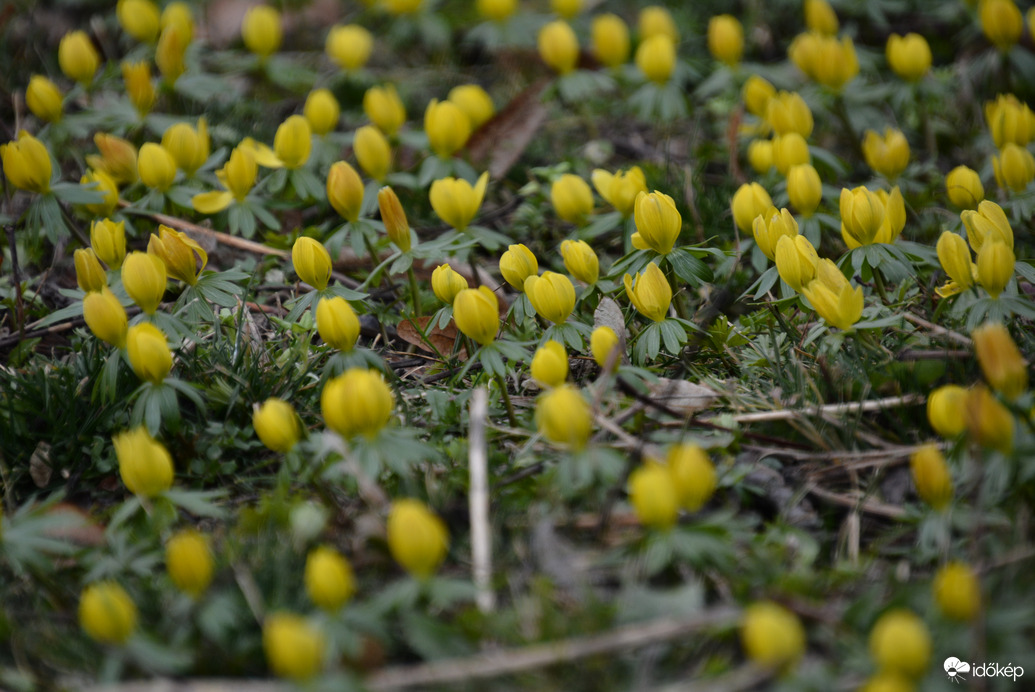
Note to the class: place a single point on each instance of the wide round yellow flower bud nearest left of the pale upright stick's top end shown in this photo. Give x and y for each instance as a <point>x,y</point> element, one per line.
<point>358,402</point>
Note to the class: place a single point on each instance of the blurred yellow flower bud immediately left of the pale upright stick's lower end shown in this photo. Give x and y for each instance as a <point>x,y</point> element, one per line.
<point>418,538</point>
